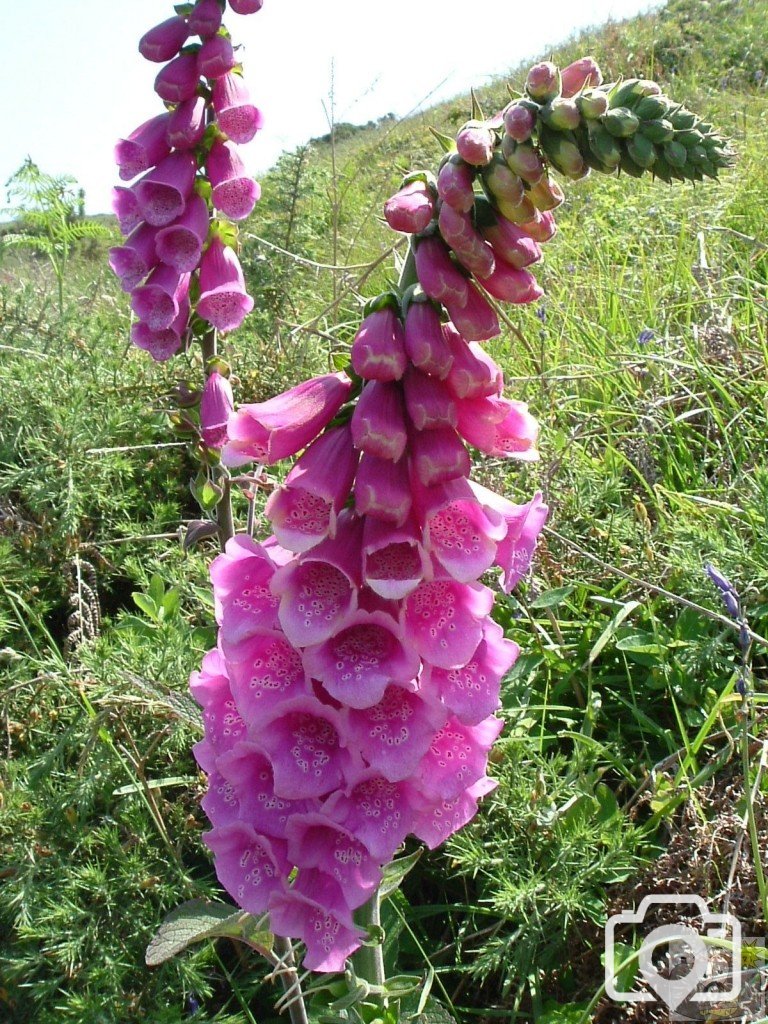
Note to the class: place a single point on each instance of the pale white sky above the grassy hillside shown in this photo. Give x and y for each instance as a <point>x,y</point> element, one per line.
<point>74,81</point>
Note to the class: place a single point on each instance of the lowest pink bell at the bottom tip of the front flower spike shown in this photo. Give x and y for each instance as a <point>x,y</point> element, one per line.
<point>330,936</point>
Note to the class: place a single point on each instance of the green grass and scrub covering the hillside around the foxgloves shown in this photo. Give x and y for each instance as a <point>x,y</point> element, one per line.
<point>647,365</point>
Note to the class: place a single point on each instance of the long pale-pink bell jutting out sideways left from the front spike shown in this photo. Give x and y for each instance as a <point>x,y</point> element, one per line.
<point>269,432</point>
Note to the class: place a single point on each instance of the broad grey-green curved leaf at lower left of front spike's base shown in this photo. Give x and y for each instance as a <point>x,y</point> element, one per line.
<point>199,920</point>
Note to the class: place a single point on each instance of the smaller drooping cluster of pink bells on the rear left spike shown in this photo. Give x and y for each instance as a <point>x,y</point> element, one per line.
<point>176,260</point>
